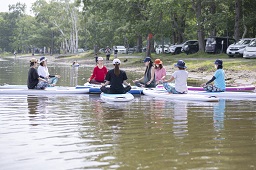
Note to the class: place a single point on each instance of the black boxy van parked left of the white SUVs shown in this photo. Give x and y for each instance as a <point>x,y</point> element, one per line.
<point>218,45</point>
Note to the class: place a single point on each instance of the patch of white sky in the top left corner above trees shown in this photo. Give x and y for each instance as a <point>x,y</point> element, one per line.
<point>5,3</point>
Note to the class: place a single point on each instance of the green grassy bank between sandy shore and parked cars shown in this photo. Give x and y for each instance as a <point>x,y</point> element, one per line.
<point>199,62</point>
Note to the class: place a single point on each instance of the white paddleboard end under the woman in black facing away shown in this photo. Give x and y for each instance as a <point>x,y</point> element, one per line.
<point>116,97</point>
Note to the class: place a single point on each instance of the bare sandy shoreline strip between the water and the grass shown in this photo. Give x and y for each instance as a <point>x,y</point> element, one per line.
<point>233,78</point>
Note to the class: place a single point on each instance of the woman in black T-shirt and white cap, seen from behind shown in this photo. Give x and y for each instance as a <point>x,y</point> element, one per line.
<point>116,78</point>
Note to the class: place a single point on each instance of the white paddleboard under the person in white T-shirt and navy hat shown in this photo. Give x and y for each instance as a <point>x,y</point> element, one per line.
<point>163,94</point>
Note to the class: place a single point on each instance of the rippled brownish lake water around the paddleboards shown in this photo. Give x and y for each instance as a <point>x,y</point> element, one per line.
<point>81,132</point>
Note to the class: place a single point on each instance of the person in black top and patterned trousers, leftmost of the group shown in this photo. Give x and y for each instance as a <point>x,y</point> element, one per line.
<point>34,81</point>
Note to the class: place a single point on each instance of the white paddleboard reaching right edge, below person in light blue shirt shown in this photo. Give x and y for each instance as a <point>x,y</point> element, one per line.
<point>227,95</point>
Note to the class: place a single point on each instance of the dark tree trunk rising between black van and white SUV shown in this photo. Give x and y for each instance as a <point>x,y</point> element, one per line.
<point>237,19</point>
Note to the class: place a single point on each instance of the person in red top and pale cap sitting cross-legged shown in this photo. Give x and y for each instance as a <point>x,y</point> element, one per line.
<point>99,73</point>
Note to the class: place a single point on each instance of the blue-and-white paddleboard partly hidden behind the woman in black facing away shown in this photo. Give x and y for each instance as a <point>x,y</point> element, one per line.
<point>95,88</point>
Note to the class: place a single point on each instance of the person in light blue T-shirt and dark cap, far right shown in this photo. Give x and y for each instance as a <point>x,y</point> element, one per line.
<point>218,79</point>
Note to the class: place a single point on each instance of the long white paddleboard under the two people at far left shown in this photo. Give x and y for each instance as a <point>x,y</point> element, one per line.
<point>47,91</point>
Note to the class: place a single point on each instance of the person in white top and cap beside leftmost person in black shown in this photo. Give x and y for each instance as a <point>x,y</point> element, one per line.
<point>44,73</point>
